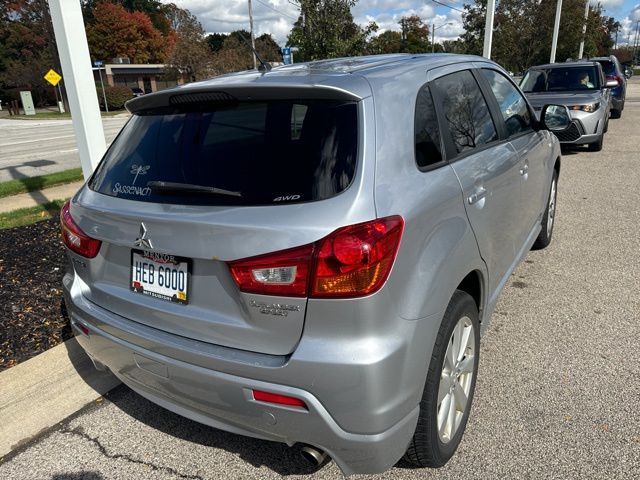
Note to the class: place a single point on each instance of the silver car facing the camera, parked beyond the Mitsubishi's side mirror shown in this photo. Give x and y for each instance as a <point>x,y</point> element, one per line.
<point>580,86</point>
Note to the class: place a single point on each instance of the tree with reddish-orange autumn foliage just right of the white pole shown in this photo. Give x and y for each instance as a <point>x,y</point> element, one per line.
<point>116,32</point>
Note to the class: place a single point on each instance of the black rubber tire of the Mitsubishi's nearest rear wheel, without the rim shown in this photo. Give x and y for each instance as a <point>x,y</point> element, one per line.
<point>426,448</point>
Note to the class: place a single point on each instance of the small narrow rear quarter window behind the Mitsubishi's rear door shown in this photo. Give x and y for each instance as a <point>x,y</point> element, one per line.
<point>427,132</point>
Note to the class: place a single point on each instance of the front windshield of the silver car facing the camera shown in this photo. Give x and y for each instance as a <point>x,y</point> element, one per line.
<point>561,79</point>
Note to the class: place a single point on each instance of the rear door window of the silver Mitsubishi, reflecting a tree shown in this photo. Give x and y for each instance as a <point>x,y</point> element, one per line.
<point>466,111</point>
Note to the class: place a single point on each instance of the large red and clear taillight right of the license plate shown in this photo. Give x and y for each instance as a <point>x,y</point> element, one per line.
<point>353,261</point>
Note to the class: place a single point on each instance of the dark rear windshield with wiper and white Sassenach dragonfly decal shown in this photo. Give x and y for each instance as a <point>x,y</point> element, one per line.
<point>245,153</point>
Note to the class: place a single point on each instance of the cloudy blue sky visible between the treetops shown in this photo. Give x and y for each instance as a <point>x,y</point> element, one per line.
<point>277,16</point>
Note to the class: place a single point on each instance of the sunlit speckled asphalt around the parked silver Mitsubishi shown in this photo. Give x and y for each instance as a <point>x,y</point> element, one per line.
<point>558,392</point>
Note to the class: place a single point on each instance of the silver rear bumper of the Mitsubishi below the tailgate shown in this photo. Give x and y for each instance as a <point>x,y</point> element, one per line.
<point>138,355</point>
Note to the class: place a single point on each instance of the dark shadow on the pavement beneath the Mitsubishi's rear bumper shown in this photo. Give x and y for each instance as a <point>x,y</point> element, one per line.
<point>278,457</point>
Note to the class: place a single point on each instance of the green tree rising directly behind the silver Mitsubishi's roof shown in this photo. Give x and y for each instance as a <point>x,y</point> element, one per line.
<point>325,29</point>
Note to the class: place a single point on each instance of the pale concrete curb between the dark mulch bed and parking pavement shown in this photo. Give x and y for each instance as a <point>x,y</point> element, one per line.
<point>39,393</point>
